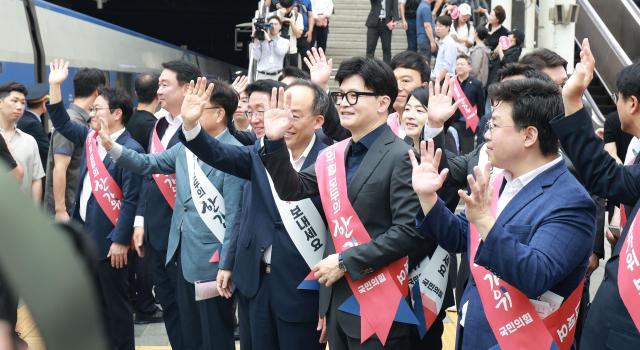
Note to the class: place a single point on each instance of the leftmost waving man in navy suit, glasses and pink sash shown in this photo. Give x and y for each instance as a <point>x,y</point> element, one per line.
<point>113,107</point>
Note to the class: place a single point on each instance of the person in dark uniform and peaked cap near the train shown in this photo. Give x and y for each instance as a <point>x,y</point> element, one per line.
<point>33,120</point>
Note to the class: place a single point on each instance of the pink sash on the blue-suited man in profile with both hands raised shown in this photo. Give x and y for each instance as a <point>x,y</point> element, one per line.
<point>512,317</point>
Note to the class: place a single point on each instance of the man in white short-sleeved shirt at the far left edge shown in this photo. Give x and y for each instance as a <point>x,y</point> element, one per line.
<point>22,145</point>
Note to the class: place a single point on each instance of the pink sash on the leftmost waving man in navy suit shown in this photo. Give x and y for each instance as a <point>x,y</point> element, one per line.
<point>104,188</point>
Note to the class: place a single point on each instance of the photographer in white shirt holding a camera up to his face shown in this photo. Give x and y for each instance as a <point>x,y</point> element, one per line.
<point>269,48</point>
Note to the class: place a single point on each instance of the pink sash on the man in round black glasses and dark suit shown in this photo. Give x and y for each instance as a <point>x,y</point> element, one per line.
<point>381,292</point>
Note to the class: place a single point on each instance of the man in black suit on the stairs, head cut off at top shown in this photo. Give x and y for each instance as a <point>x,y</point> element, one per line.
<point>380,23</point>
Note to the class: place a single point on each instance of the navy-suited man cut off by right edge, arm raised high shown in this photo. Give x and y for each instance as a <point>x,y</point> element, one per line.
<point>609,323</point>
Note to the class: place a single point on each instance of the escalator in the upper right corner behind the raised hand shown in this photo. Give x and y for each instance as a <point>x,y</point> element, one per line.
<point>611,26</point>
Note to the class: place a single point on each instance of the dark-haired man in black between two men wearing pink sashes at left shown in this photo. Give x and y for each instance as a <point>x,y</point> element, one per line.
<point>143,118</point>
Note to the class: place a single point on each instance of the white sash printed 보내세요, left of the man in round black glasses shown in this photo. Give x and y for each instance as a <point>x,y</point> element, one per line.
<point>304,225</point>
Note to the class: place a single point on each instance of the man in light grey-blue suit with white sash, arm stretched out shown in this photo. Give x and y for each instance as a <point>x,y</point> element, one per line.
<point>207,201</point>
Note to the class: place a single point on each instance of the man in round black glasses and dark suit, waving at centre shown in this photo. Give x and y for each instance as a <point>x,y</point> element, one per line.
<point>377,169</point>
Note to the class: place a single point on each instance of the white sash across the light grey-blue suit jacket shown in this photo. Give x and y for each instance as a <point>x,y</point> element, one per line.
<point>206,197</point>
